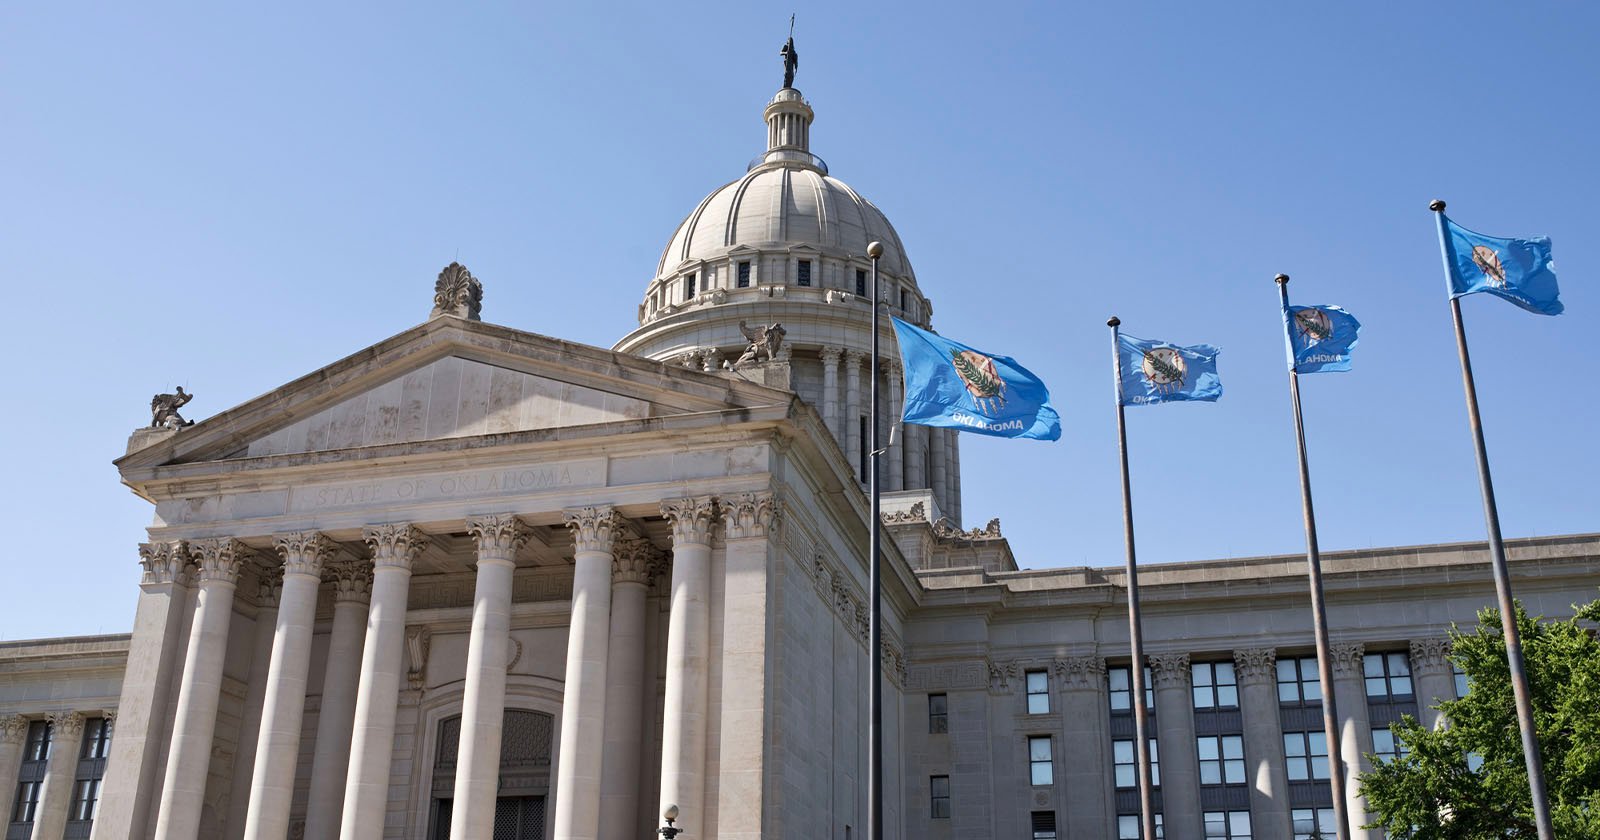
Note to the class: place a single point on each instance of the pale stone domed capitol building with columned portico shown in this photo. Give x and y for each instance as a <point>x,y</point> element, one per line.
<point>476,583</point>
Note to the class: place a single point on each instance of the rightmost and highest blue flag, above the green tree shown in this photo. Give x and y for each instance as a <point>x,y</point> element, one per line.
<point>1521,271</point>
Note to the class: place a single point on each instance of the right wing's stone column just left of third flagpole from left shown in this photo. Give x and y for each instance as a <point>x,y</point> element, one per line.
<point>1258,703</point>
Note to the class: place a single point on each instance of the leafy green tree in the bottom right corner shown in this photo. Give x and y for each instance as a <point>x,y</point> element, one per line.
<point>1441,791</point>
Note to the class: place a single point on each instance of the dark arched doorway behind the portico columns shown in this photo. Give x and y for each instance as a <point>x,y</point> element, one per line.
<point>524,777</point>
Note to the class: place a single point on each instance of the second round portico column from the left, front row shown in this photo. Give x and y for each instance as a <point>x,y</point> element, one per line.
<point>284,708</point>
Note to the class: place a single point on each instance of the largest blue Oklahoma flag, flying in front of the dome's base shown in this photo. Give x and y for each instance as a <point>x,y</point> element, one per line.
<point>956,386</point>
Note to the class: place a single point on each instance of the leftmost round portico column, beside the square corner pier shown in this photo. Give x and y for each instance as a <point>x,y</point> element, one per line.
<point>190,758</point>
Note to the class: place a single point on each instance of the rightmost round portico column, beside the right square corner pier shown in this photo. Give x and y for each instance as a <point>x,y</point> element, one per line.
<point>689,642</point>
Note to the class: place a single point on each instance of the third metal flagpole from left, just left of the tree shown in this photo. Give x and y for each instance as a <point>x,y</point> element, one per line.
<point>1319,609</point>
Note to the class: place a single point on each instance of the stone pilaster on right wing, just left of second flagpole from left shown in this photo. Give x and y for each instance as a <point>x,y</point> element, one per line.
<point>1086,734</point>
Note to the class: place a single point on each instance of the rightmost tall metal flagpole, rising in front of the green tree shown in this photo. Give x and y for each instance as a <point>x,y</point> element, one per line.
<point>1519,676</point>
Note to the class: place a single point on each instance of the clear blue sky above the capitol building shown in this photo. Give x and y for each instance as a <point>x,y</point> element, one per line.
<point>230,199</point>
